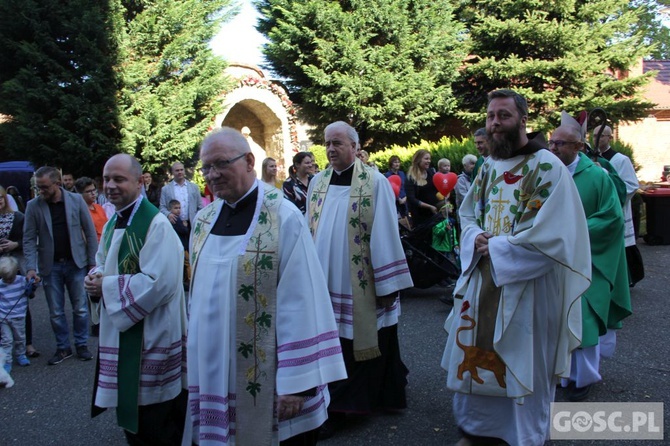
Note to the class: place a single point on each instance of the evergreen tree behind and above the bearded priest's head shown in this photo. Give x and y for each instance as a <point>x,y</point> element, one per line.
<point>561,55</point>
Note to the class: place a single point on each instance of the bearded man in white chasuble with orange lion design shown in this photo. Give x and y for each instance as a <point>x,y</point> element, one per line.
<point>526,261</point>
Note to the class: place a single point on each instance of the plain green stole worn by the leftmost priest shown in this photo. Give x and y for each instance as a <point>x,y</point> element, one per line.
<point>130,341</point>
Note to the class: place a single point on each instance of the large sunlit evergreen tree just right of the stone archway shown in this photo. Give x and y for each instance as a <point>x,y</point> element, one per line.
<point>385,66</point>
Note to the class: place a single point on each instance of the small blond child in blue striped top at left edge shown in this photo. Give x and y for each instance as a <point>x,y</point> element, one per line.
<point>13,306</point>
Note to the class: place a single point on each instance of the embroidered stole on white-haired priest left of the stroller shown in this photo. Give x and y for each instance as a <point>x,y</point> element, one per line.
<point>360,215</point>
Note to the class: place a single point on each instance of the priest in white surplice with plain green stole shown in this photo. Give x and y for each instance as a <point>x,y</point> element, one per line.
<point>137,280</point>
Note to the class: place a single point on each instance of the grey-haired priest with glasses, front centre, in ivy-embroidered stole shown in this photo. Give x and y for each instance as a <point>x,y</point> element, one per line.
<point>262,339</point>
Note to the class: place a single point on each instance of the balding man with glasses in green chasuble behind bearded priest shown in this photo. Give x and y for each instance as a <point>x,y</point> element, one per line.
<point>607,301</point>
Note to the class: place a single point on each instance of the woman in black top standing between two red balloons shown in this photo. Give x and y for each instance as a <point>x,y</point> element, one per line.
<point>422,197</point>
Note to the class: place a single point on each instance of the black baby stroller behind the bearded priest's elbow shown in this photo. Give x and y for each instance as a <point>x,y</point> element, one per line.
<point>427,266</point>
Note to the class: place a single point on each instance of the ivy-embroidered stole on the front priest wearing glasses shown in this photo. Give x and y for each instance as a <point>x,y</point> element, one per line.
<point>257,274</point>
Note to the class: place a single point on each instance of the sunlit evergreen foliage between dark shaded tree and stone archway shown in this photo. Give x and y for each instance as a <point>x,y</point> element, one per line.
<point>171,81</point>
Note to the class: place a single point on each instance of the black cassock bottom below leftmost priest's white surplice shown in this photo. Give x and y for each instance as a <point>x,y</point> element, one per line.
<point>160,424</point>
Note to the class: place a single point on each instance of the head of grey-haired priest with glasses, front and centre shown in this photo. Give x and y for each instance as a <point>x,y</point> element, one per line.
<point>227,164</point>
